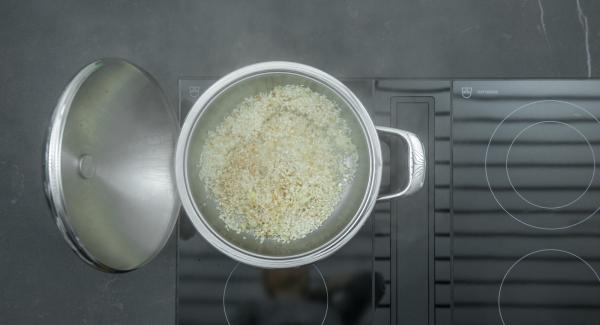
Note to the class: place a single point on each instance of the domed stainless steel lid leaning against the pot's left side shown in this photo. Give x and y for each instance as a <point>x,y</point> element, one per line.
<point>109,166</point>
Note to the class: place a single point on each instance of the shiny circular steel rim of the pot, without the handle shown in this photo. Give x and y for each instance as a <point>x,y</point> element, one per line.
<point>219,242</point>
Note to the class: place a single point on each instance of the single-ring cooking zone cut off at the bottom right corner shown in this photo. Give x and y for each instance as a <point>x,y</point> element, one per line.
<point>529,288</point>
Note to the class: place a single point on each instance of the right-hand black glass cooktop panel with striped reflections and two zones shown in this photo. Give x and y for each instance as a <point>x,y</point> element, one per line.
<point>524,230</point>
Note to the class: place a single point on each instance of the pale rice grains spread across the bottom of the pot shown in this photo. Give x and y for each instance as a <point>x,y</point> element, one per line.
<point>277,165</point>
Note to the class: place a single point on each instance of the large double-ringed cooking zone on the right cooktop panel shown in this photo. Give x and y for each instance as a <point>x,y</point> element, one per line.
<point>541,171</point>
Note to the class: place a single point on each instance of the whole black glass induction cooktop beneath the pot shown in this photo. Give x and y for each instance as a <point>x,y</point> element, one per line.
<point>505,231</point>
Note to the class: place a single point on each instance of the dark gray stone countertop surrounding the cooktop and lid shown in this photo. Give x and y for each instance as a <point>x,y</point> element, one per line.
<point>46,42</point>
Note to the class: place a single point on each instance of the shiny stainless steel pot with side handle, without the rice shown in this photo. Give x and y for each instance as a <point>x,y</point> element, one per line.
<point>358,199</point>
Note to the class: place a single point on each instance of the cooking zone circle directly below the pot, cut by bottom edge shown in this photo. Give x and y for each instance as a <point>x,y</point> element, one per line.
<point>296,294</point>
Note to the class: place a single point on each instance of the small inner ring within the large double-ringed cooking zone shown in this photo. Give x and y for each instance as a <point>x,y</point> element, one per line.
<point>560,205</point>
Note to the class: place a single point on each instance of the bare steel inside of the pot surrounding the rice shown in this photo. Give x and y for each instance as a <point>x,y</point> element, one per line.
<point>355,195</point>
